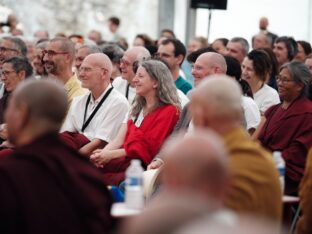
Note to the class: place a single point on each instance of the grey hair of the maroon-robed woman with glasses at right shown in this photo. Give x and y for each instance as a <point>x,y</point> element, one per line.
<point>300,74</point>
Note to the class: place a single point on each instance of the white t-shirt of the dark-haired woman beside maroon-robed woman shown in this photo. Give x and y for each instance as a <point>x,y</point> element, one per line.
<point>266,97</point>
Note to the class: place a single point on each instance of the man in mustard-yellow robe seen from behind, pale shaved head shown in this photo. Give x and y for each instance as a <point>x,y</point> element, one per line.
<point>216,104</point>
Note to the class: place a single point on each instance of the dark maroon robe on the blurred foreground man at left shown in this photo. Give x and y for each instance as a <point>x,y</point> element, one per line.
<point>47,187</point>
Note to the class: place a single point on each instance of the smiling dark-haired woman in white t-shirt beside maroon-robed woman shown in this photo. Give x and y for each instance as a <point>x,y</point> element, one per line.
<point>255,70</point>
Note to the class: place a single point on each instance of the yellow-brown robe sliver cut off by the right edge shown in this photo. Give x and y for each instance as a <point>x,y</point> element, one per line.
<point>305,222</point>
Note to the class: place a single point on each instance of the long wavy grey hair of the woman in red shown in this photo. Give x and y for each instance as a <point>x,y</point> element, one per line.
<point>166,90</point>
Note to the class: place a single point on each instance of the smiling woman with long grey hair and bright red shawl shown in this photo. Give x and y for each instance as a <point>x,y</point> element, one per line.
<point>153,115</point>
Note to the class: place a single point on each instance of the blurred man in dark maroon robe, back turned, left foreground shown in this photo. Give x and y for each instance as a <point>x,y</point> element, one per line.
<point>45,186</point>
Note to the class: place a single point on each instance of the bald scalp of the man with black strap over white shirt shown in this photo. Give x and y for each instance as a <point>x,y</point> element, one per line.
<point>100,60</point>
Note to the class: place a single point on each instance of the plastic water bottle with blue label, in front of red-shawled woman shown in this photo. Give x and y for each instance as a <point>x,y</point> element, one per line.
<point>134,198</point>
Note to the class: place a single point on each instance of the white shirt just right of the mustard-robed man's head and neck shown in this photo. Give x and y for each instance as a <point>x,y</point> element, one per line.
<point>251,112</point>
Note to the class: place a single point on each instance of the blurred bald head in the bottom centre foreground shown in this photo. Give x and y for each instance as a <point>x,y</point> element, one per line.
<point>197,161</point>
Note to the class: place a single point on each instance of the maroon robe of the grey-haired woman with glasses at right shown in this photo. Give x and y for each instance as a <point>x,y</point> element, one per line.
<point>289,131</point>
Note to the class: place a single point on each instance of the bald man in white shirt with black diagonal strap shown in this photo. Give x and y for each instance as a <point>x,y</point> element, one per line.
<point>94,119</point>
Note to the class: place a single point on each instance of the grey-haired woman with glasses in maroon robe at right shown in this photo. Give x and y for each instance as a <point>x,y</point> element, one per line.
<point>287,127</point>
